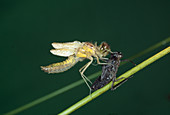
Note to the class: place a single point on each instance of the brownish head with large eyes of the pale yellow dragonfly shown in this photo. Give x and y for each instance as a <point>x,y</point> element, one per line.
<point>104,49</point>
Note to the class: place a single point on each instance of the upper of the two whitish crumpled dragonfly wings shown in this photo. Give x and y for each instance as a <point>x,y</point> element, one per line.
<point>67,45</point>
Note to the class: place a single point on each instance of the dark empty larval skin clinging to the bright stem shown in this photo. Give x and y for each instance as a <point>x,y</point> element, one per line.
<point>109,72</point>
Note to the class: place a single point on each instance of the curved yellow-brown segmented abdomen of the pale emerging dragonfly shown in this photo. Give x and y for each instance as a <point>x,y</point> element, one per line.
<point>61,66</point>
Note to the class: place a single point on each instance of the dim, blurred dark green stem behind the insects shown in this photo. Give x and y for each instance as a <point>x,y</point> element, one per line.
<point>77,83</point>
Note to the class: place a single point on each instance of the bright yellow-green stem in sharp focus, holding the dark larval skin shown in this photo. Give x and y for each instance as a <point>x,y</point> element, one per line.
<point>107,87</point>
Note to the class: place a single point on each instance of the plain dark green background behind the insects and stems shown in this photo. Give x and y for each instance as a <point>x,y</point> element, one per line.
<point>29,27</point>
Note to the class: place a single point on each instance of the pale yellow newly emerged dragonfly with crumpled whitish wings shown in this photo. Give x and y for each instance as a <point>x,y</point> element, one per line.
<point>77,51</point>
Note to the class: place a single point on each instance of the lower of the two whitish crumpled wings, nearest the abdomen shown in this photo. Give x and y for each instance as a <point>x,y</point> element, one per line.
<point>62,52</point>
